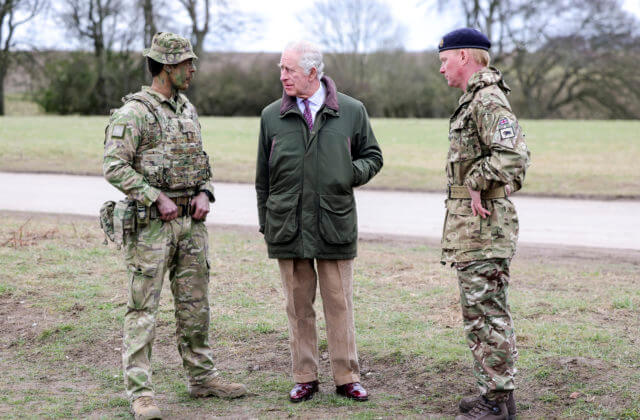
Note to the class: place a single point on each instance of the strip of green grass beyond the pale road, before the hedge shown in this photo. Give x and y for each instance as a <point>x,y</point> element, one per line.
<point>570,158</point>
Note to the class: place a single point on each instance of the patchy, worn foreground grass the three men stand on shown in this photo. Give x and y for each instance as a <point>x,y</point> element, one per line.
<point>577,315</point>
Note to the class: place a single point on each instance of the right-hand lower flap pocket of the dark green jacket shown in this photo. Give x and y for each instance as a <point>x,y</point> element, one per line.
<point>338,219</point>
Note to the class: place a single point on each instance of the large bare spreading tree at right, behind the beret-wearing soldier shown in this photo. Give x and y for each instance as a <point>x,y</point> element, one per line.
<point>561,52</point>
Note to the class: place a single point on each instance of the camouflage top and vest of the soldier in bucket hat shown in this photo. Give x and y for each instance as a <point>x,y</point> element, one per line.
<point>137,144</point>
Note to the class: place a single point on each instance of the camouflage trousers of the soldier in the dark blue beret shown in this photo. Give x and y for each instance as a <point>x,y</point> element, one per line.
<point>488,325</point>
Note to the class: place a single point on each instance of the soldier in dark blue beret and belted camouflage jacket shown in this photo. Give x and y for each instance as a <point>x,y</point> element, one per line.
<point>487,161</point>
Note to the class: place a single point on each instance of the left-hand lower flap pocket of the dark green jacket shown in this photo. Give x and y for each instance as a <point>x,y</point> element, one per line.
<point>281,224</point>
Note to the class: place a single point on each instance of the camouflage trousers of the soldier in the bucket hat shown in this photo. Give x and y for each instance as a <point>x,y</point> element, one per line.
<point>181,248</point>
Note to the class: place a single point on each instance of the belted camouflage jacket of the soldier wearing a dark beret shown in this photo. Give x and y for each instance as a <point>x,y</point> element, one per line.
<point>487,151</point>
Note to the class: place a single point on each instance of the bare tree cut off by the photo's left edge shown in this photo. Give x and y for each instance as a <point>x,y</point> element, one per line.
<point>13,13</point>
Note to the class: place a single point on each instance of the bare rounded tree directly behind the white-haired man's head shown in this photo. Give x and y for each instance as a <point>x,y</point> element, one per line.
<point>353,30</point>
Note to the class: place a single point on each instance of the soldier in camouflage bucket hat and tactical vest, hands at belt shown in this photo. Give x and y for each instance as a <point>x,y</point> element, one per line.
<point>153,153</point>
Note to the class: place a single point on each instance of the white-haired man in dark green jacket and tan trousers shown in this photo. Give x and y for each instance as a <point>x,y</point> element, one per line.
<point>315,146</point>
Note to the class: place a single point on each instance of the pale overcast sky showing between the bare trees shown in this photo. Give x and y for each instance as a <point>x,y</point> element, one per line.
<point>425,26</point>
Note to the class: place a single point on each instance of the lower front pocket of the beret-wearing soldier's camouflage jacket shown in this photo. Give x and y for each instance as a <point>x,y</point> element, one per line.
<point>463,230</point>
